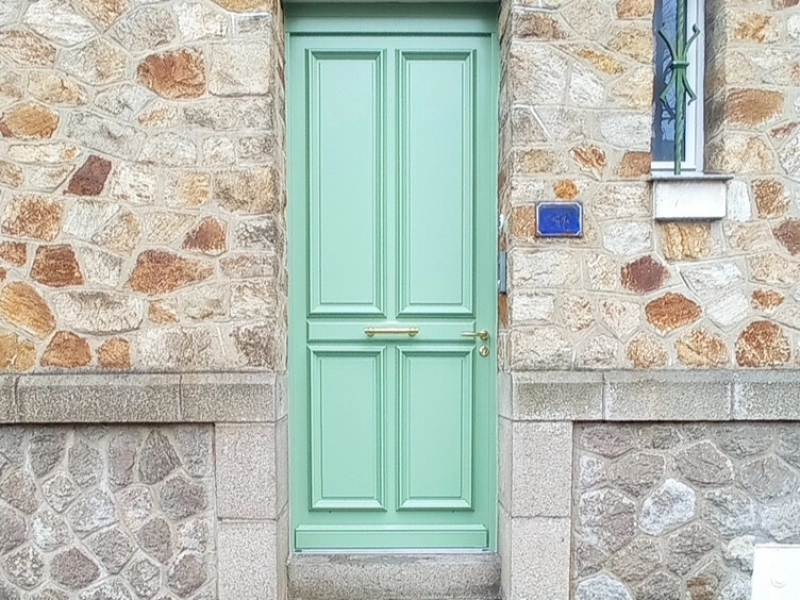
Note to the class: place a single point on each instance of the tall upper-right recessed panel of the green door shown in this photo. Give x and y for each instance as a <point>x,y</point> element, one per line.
<point>436,185</point>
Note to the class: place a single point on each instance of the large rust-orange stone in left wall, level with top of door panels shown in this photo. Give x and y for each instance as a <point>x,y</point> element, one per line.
<point>178,74</point>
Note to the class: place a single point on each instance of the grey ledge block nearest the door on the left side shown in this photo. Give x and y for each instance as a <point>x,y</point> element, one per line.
<point>228,397</point>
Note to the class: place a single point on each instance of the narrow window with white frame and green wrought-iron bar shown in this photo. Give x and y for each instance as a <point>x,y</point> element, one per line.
<point>673,96</point>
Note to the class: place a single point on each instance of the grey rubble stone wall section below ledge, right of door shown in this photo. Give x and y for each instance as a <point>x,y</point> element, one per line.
<point>673,511</point>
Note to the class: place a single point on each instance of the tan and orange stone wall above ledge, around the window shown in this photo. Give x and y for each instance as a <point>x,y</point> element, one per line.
<point>575,125</point>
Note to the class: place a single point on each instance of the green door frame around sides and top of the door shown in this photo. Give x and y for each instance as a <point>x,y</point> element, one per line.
<point>344,18</point>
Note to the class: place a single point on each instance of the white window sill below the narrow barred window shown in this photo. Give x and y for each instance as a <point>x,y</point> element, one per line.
<point>689,196</point>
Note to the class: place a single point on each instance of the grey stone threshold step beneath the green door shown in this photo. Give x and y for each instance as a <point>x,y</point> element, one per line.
<point>406,576</point>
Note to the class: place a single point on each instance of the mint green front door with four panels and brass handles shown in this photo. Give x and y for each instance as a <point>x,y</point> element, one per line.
<point>392,174</point>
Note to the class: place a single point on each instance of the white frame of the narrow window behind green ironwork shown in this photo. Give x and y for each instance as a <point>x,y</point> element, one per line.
<point>694,132</point>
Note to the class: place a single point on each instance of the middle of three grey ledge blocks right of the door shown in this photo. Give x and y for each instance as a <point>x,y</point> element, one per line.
<point>666,396</point>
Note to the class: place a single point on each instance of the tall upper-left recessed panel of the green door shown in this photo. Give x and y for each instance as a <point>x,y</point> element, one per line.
<point>347,98</point>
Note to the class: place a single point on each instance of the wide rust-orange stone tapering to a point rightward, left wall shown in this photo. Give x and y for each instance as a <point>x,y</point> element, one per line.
<point>160,272</point>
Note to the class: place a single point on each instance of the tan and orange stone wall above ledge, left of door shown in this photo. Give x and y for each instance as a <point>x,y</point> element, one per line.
<point>141,185</point>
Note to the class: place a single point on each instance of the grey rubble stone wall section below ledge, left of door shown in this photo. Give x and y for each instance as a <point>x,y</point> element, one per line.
<point>107,513</point>
